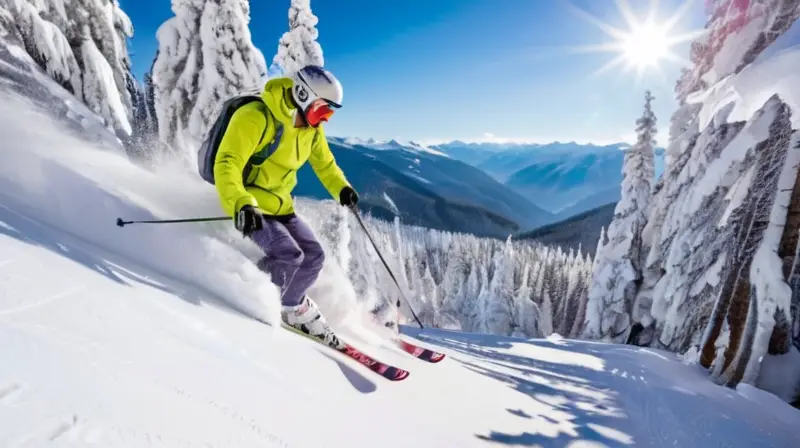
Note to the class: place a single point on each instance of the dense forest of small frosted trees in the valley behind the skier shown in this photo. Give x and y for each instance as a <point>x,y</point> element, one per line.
<point>459,281</point>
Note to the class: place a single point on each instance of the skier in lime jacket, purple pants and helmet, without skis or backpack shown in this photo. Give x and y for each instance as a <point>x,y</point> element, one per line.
<point>292,112</point>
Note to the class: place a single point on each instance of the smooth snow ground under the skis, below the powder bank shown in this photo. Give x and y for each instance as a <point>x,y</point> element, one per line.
<point>144,360</point>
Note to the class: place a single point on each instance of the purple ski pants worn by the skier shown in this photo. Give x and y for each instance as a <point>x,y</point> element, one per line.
<point>293,256</point>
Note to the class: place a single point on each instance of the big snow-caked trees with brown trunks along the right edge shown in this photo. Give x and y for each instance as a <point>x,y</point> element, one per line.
<point>720,272</point>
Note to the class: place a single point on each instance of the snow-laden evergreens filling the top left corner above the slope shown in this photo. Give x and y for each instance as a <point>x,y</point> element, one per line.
<point>82,45</point>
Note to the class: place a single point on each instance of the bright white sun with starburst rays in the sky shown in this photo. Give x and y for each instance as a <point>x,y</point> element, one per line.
<point>645,44</point>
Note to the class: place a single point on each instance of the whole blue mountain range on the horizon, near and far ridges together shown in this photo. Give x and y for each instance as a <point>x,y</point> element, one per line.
<point>487,189</point>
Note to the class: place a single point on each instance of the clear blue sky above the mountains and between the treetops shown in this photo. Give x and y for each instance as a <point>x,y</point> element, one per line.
<point>465,69</point>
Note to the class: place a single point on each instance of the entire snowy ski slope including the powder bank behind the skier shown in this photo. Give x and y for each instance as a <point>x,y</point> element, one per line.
<point>160,336</point>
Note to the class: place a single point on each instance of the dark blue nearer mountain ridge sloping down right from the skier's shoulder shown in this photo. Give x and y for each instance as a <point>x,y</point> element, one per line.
<point>425,187</point>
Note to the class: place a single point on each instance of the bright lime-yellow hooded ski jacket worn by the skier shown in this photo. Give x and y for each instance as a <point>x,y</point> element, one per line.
<point>269,185</point>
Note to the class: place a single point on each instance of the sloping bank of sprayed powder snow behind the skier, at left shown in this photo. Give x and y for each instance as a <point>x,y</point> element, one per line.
<point>66,183</point>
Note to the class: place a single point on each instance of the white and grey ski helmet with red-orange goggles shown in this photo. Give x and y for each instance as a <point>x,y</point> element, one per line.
<point>312,83</point>
